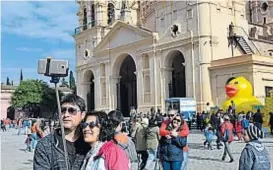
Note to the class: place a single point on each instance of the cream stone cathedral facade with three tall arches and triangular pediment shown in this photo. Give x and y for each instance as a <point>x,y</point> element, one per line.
<point>135,54</point>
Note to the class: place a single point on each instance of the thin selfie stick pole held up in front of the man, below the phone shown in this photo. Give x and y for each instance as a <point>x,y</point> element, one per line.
<point>55,80</point>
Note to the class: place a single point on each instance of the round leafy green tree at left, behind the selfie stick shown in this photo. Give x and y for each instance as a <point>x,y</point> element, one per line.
<point>34,96</point>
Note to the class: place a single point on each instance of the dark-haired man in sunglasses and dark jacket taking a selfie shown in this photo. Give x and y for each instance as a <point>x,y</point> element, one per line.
<point>49,153</point>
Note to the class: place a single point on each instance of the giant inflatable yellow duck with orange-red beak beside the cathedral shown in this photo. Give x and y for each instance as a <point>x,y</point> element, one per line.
<point>239,90</point>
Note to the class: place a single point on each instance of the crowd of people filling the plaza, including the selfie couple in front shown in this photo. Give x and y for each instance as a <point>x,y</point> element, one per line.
<point>99,141</point>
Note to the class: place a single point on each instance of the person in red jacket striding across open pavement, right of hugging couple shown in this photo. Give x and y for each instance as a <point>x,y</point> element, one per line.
<point>227,136</point>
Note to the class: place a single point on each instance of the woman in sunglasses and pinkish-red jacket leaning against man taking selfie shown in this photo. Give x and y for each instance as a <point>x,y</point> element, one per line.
<point>99,133</point>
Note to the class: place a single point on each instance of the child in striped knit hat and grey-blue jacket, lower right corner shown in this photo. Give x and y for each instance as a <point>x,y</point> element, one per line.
<point>254,156</point>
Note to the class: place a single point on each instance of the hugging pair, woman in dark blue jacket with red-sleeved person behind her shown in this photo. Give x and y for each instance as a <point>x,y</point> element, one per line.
<point>172,144</point>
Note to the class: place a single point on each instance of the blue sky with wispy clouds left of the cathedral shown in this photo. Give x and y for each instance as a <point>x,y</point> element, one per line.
<point>34,30</point>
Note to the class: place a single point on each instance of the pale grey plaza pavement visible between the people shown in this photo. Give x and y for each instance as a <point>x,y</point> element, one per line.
<point>14,157</point>
